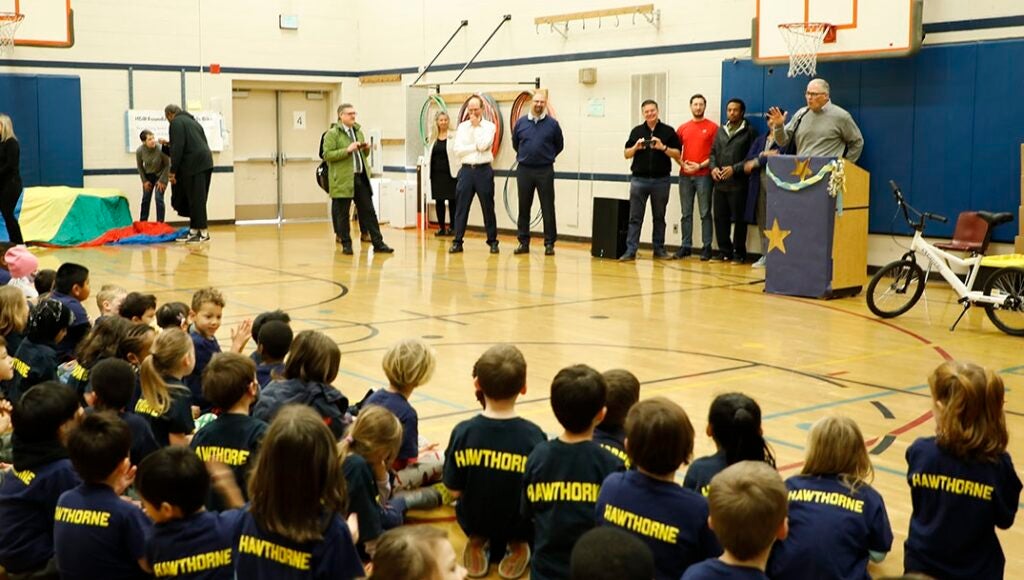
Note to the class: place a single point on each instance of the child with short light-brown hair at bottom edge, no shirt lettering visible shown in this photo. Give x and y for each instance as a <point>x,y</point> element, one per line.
<point>748,505</point>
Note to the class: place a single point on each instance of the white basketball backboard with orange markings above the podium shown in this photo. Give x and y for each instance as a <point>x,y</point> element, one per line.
<point>865,29</point>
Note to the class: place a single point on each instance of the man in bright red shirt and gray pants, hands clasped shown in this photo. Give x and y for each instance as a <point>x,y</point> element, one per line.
<point>697,136</point>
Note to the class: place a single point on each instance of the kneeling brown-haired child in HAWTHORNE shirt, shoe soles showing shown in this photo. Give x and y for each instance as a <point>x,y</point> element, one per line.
<point>485,463</point>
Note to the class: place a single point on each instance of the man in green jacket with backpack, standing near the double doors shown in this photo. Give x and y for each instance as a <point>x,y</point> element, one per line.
<point>345,150</point>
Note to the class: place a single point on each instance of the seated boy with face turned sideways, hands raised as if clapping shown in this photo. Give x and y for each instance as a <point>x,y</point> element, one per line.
<point>207,310</point>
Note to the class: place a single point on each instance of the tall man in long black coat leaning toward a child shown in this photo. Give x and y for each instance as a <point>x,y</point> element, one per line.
<point>192,169</point>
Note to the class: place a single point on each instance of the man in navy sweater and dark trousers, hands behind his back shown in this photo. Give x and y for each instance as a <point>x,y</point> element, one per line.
<point>538,141</point>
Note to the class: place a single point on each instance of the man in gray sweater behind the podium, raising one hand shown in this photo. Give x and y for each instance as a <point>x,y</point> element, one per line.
<point>821,130</point>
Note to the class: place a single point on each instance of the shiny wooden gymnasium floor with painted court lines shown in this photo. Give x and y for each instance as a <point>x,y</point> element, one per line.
<point>688,329</point>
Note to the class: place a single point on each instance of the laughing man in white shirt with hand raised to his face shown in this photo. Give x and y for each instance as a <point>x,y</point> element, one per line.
<point>474,141</point>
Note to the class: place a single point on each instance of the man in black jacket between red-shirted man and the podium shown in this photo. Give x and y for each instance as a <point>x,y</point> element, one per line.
<point>732,144</point>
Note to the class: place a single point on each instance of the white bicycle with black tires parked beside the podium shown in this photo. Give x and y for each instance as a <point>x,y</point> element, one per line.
<point>898,287</point>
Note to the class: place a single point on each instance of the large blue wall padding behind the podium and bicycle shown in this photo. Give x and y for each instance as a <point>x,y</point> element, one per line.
<point>922,123</point>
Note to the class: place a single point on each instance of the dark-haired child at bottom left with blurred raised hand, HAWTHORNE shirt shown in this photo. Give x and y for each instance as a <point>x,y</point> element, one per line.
<point>187,542</point>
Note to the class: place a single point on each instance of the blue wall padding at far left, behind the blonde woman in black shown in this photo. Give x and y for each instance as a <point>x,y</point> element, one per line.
<point>47,111</point>
